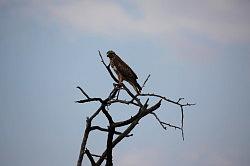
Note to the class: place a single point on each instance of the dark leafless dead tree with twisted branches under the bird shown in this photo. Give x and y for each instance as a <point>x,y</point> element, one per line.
<point>115,136</point>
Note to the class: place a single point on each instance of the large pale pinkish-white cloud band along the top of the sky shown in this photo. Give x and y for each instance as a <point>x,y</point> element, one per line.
<point>221,21</point>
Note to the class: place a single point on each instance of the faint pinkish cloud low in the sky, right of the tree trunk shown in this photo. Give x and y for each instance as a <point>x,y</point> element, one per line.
<point>192,154</point>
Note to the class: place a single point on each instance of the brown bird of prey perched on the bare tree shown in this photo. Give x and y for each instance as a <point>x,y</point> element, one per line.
<point>123,71</point>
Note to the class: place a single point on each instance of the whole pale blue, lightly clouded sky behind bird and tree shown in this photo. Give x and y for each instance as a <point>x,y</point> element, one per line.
<point>193,49</point>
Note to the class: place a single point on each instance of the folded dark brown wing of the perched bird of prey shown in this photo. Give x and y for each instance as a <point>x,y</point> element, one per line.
<point>124,69</point>
